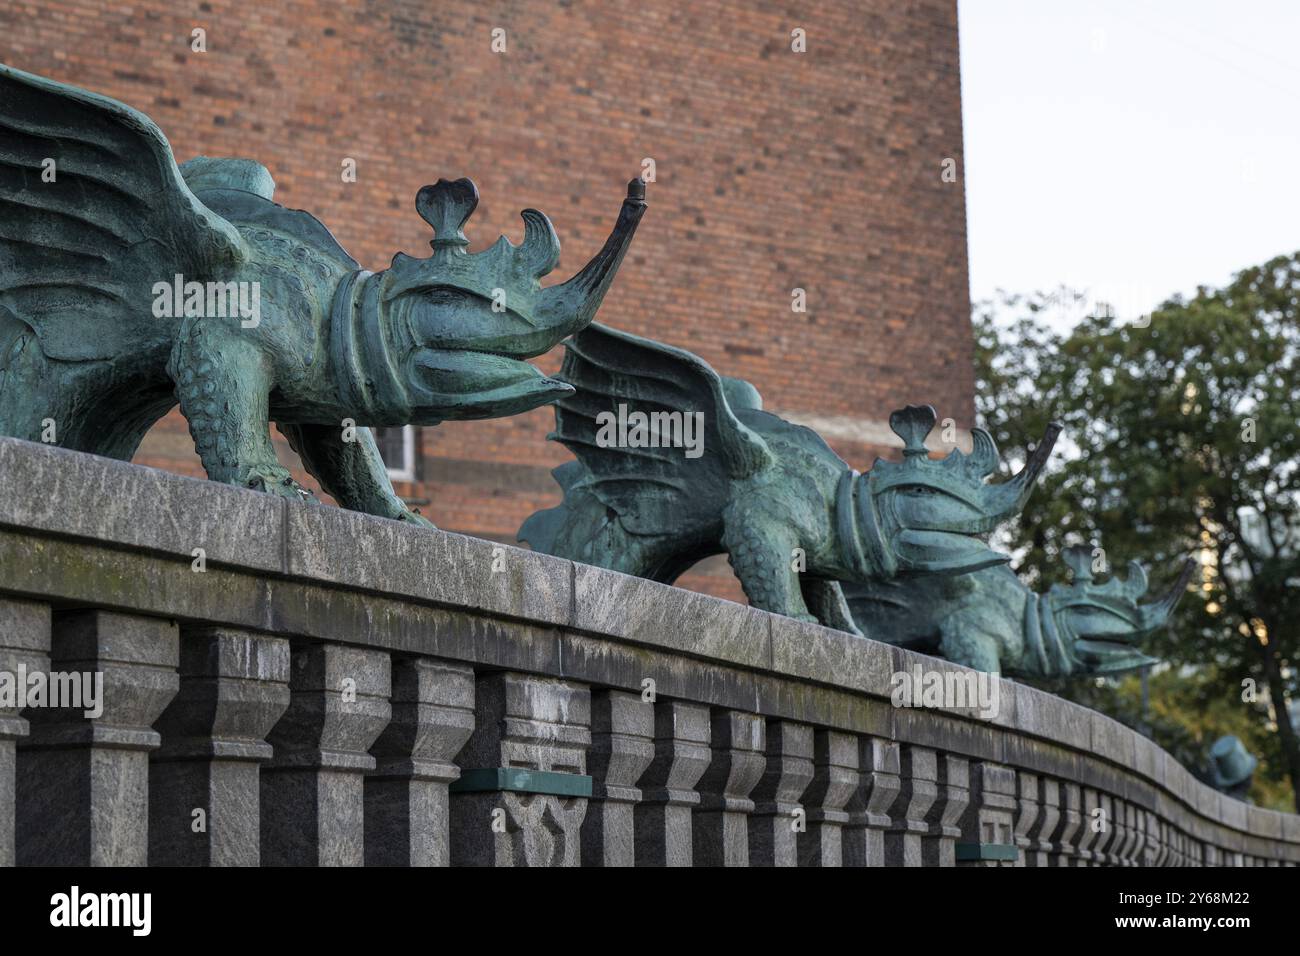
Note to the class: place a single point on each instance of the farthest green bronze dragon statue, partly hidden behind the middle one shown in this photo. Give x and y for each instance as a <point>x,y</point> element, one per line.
<point>993,622</point>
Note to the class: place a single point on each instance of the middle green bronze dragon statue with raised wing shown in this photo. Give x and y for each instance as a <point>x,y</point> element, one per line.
<point>794,518</point>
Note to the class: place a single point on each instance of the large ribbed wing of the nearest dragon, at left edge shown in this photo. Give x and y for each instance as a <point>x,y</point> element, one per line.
<point>93,214</point>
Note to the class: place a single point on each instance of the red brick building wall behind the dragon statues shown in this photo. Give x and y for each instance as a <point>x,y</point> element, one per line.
<point>775,170</point>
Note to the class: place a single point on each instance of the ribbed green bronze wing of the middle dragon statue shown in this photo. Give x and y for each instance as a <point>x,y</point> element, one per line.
<point>652,490</point>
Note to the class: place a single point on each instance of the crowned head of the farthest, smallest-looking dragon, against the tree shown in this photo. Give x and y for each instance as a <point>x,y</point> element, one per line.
<point>1098,626</point>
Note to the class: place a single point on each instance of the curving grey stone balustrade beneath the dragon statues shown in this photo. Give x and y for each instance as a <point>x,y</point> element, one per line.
<point>288,684</point>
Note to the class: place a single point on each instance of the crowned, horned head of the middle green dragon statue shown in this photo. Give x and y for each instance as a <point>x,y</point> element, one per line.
<point>931,516</point>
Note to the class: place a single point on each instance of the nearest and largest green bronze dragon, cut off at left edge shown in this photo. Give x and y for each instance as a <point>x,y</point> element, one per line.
<point>118,271</point>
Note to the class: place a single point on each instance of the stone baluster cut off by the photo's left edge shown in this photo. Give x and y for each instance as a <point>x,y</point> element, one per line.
<point>24,655</point>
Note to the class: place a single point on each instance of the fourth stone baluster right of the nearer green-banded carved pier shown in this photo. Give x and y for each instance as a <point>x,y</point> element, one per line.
<point>778,814</point>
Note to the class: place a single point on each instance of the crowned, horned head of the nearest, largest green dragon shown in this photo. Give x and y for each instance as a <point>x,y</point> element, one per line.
<point>447,338</point>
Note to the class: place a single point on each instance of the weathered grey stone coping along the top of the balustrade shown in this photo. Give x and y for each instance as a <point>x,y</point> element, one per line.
<point>72,500</point>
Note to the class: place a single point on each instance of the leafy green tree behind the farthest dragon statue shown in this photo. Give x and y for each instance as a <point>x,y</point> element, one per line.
<point>1182,438</point>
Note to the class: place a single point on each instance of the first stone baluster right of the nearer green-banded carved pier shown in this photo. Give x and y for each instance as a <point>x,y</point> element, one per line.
<point>622,750</point>
